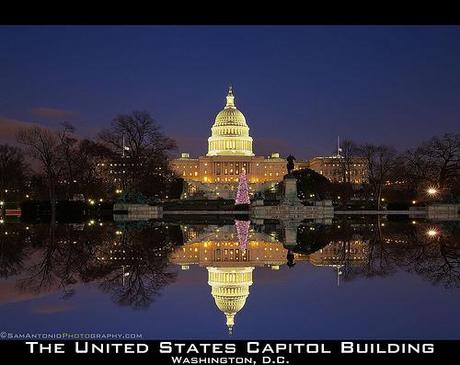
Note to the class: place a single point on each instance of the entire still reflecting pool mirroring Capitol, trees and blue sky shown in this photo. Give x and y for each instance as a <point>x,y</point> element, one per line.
<point>362,278</point>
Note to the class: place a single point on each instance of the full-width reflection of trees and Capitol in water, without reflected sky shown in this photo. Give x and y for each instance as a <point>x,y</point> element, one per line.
<point>133,263</point>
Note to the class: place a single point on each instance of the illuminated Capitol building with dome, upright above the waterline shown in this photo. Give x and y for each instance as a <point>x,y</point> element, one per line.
<point>230,152</point>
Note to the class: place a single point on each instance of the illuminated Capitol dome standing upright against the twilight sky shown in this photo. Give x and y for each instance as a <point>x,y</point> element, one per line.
<point>230,132</point>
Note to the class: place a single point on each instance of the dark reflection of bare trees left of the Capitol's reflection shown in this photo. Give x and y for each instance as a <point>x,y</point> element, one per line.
<point>129,262</point>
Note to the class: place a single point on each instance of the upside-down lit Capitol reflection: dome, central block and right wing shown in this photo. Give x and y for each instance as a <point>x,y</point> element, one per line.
<point>232,256</point>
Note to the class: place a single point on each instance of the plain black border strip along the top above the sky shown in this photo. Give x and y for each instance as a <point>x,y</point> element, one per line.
<point>225,13</point>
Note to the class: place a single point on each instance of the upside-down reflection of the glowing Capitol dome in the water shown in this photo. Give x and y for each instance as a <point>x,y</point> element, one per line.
<point>230,289</point>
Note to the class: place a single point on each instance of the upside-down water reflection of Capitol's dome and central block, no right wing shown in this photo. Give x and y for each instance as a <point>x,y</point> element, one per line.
<point>230,263</point>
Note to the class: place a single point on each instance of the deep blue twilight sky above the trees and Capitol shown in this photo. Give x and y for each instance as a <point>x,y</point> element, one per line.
<point>298,86</point>
